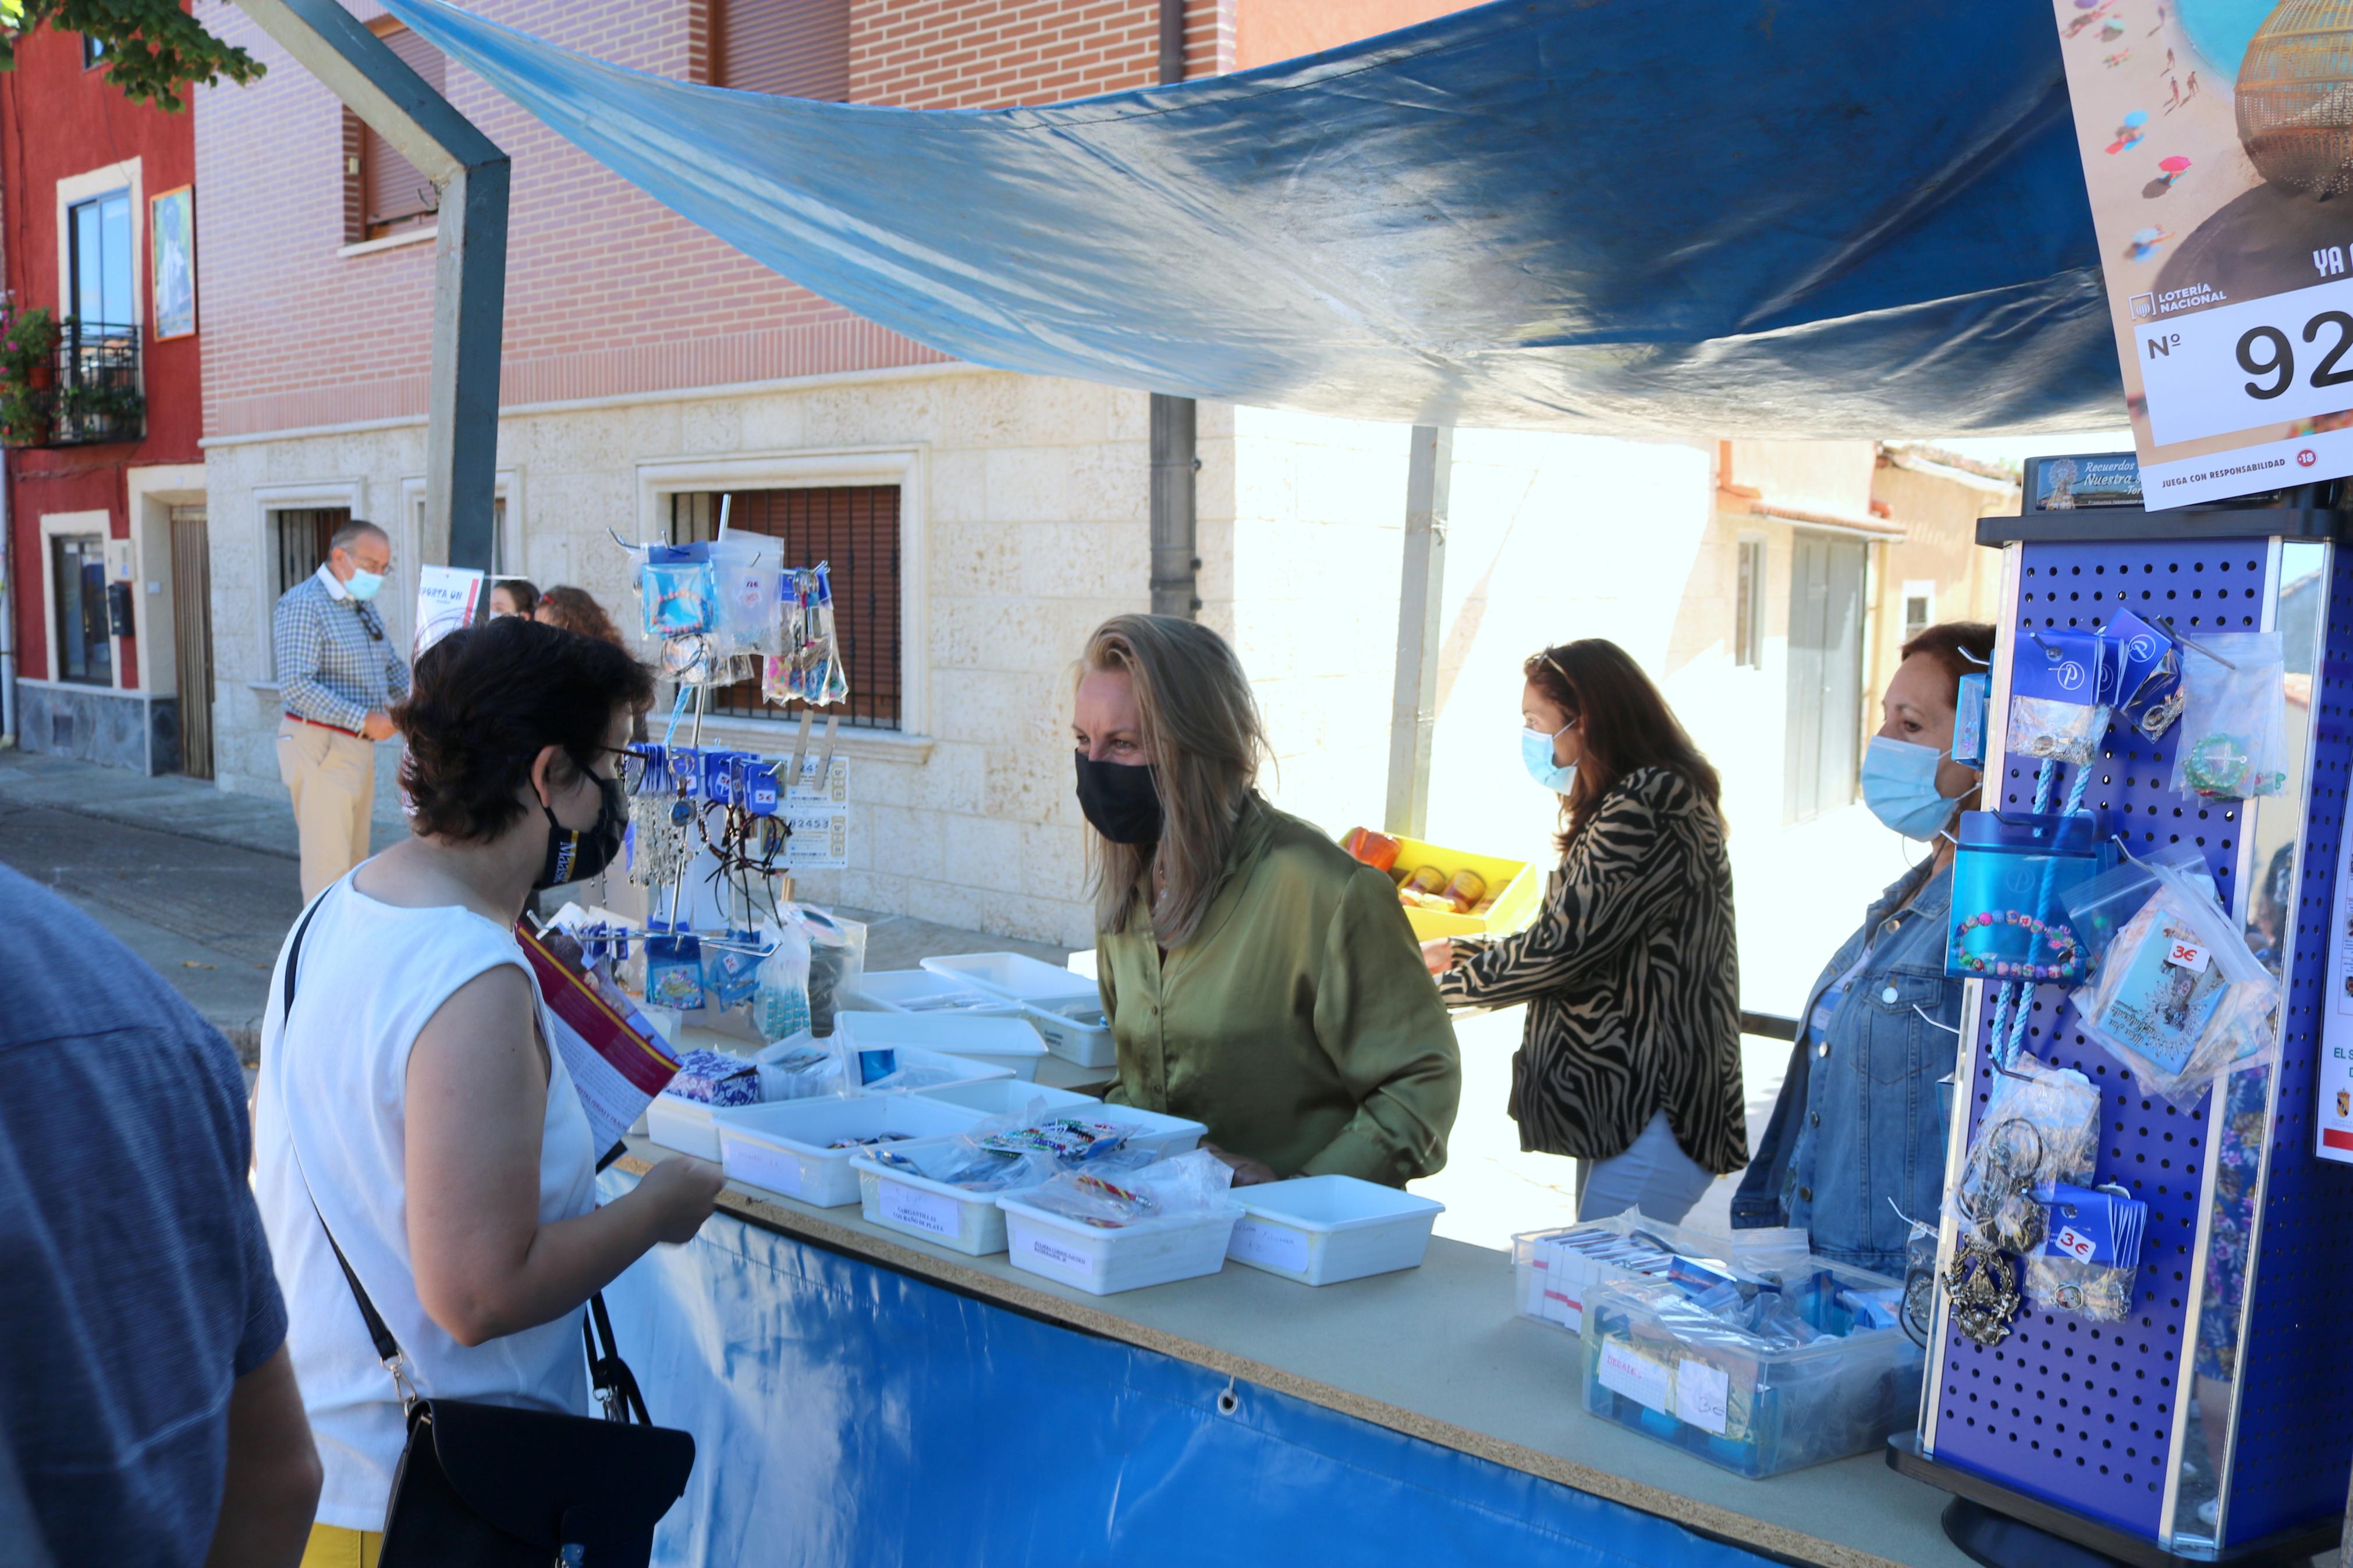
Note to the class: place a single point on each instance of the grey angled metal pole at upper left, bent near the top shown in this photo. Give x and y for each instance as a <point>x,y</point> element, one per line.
<point>469,279</point>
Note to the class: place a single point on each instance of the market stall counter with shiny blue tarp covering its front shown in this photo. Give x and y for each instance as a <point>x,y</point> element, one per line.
<point>860,1395</point>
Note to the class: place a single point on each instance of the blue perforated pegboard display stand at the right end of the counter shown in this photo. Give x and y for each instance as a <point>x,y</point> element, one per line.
<point>2100,1419</point>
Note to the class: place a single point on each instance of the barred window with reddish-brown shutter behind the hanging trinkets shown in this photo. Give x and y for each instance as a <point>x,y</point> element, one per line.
<point>851,528</point>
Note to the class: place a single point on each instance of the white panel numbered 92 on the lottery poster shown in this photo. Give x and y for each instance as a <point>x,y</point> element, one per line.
<point>2272,361</point>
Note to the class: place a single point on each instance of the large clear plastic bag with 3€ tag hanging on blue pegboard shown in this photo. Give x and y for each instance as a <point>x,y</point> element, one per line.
<point>2178,998</point>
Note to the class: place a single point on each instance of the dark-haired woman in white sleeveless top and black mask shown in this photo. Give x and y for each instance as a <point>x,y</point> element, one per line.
<point>413,1097</point>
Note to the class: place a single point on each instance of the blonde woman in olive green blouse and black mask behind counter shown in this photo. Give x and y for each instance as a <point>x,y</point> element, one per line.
<point>1258,979</point>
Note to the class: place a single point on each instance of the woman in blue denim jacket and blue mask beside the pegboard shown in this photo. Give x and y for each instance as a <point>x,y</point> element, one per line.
<point>1858,1132</point>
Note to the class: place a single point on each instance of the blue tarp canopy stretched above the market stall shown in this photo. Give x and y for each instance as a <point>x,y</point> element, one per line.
<point>1615,217</point>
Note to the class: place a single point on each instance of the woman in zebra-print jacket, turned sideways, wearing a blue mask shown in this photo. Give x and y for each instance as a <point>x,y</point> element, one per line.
<point>1632,1052</point>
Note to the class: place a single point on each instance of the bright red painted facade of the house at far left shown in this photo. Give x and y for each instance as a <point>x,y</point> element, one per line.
<point>60,121</point>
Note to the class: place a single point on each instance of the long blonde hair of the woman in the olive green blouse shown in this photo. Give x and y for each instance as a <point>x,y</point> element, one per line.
<point>1204,737</point>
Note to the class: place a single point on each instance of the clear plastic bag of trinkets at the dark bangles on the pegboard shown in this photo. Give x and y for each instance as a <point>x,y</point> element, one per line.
<point>2041,1127</point>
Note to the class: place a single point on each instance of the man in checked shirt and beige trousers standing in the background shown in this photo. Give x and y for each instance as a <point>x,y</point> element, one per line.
<point>338,676</point>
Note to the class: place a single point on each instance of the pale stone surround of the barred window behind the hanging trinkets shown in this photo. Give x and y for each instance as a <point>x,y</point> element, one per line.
<point>902,467</point>
